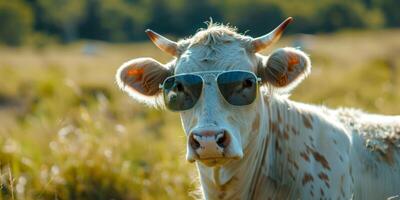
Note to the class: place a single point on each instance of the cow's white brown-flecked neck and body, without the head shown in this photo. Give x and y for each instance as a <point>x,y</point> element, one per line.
<point>316,153</point>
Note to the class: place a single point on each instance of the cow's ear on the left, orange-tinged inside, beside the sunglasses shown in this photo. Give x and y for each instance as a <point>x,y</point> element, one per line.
<point>141,78</point>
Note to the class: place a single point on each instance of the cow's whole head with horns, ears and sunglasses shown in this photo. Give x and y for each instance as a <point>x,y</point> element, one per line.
<point>214,83</point>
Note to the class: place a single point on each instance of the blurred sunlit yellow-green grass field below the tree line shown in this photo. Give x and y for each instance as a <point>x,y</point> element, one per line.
<point>67,131</point>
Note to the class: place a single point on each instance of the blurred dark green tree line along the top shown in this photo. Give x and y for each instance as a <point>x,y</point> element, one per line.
<point>126,20</point>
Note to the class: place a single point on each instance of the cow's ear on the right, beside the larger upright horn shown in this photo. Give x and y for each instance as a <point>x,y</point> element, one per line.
<point>285,68</point>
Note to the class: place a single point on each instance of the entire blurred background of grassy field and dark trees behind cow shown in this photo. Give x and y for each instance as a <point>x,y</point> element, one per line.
<point>68,132</point>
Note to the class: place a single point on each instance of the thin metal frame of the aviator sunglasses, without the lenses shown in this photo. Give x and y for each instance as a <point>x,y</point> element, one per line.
<point>218,73</point>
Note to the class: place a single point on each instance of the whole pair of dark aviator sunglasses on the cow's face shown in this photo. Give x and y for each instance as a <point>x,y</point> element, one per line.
<point>181,92</point>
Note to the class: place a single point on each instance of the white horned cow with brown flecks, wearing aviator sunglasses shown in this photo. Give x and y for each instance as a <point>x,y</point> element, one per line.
<point>247,138</point>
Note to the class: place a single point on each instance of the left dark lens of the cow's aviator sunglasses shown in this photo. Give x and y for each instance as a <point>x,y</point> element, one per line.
<point>182,92</point>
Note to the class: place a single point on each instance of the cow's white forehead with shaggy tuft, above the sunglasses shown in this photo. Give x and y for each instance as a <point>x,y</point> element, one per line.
<point>219,47</point>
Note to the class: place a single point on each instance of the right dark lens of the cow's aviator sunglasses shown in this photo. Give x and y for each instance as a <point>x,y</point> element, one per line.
<point>238,88</point>
